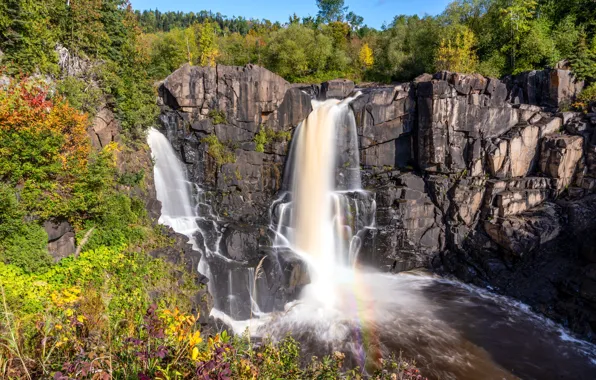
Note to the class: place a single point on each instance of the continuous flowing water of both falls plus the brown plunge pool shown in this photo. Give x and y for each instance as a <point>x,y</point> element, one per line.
<point>453,331</point>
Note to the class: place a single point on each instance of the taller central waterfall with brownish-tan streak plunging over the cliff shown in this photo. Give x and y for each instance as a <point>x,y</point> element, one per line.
<point>325,200</point>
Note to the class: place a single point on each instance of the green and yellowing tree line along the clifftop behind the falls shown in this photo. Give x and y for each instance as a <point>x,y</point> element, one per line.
<point>493,37</point>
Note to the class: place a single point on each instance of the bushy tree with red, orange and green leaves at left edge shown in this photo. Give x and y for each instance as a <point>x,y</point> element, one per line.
<point>40,138</point>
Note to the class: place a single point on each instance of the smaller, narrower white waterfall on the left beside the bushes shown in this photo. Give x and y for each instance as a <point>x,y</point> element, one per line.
<point>193,217</point>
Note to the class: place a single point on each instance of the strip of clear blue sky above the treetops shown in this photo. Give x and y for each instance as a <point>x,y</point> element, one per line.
<point>375,12</point>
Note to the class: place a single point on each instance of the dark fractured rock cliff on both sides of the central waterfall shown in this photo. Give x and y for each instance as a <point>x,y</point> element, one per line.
<point>477,177</point>
